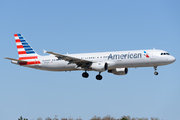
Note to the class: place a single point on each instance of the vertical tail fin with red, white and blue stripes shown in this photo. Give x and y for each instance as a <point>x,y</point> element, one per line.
<point>24,49</point>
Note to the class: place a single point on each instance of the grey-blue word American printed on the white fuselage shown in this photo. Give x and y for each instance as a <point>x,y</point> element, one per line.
<point>125,56</point>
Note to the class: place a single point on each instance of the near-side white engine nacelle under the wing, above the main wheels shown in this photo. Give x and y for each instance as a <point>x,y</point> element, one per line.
<point>99,66</point>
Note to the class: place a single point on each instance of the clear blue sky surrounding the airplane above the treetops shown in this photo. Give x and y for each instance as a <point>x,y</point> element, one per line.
<point>90,26</point>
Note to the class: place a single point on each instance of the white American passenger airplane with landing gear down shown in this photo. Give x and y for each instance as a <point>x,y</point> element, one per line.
<point>116,62</point>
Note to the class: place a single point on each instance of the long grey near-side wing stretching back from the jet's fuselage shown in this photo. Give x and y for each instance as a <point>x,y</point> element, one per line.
<point>80,62</point>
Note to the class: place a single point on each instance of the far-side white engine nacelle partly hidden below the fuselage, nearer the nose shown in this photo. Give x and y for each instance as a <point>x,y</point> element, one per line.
<point>119,71</point>
